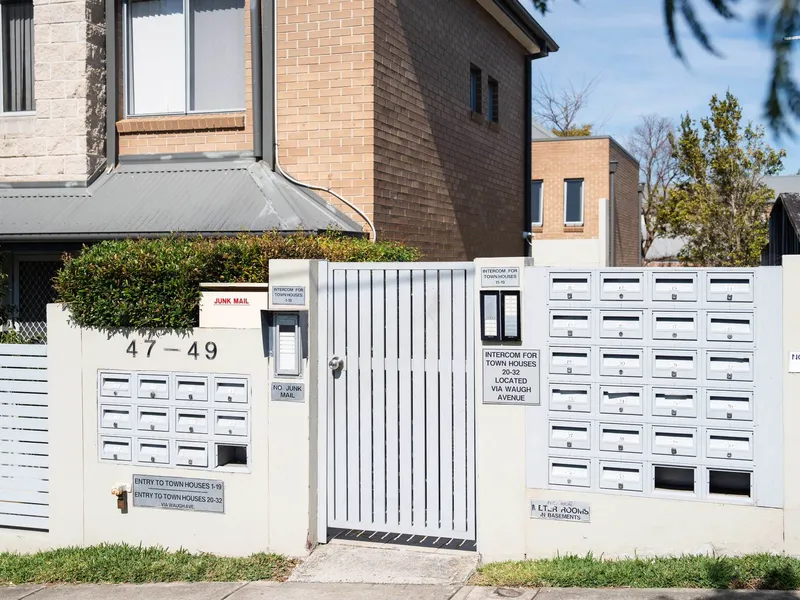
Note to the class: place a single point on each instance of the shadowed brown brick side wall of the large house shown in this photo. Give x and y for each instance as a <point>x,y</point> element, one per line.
<point>445,182</point>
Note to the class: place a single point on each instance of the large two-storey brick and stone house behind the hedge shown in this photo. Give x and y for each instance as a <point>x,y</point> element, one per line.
<point>125,118</point>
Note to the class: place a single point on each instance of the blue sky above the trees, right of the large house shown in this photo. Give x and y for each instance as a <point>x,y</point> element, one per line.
<point>622,43</point>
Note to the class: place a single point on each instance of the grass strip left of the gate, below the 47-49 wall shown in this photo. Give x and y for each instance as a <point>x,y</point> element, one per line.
<point>120,563</point>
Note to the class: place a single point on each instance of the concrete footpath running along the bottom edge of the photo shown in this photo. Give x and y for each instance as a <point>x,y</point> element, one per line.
<point>351,591</point>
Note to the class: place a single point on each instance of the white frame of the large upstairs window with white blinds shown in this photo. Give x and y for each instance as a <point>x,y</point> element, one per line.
<point>127,72</point>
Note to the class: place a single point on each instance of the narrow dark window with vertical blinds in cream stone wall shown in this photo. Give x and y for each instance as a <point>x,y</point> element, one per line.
<point>16,51</point>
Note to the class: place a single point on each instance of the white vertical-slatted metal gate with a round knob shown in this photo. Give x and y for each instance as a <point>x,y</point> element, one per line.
<point>400,410</point>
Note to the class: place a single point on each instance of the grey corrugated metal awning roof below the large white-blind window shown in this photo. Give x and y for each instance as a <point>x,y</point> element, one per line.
<point>150,199</point>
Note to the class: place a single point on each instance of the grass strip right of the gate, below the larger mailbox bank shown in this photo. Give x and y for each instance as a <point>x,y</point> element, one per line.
<point>755,571</point>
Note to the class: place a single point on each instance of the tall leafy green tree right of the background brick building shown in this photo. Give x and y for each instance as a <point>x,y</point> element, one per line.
<point>719,202</point>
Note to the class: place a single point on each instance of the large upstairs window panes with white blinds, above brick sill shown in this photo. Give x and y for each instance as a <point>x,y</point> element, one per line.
<point>185,56</point>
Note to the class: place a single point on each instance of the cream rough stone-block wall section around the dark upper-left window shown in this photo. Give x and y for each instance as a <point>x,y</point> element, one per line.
<point>65,139</point>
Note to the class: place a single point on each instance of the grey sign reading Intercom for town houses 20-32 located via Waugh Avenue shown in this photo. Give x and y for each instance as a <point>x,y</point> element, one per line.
<point>511,376</point>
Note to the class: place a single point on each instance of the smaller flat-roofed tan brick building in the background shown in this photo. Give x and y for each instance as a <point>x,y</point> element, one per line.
<point>584,206</point>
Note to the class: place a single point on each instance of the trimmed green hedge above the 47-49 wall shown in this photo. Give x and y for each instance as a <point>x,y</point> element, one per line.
<point>155,284</point>
